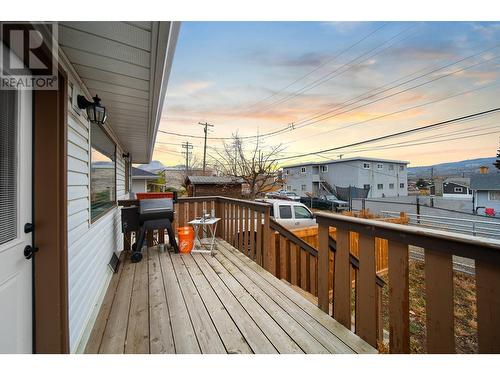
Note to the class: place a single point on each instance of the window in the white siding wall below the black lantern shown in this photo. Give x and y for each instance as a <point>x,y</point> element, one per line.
<point>102,173</point>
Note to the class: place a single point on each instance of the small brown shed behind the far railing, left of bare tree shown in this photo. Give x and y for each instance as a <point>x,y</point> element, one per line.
<point>200,186</point>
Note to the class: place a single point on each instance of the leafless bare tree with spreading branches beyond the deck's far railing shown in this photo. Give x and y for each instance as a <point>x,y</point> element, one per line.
<point>256,167</point>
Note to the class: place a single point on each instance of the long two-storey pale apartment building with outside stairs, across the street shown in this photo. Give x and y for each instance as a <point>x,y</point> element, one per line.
<point>383,178</point>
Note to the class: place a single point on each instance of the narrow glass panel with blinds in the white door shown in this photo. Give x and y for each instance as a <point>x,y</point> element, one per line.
<point>8,165</point>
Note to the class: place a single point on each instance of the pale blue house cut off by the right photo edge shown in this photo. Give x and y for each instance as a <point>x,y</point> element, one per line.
<point>486,192</point>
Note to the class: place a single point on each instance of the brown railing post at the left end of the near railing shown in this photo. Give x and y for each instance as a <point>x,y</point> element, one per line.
<point>323,267</point>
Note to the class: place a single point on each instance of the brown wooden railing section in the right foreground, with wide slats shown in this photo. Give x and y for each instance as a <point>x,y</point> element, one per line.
<point>439,248</point>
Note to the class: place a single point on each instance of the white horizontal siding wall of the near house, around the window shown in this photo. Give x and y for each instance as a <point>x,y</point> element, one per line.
<point>90,245</point>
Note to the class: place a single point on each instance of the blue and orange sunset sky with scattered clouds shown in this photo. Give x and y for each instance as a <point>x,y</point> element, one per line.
<point>258,77</point>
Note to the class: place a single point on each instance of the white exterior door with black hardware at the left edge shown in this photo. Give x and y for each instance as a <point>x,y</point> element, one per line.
<point>16,308</point>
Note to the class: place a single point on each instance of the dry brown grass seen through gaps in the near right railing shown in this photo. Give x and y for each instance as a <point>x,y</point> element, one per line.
<point>465,310</point>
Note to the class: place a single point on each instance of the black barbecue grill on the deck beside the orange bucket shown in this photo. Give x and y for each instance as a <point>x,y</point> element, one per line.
<point>149,215</point>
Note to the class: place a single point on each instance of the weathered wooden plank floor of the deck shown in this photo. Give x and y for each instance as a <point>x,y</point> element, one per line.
<point>173,303</point>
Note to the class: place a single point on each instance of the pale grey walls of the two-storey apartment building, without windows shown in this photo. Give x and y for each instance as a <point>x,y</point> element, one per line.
<point>351,173</point>
